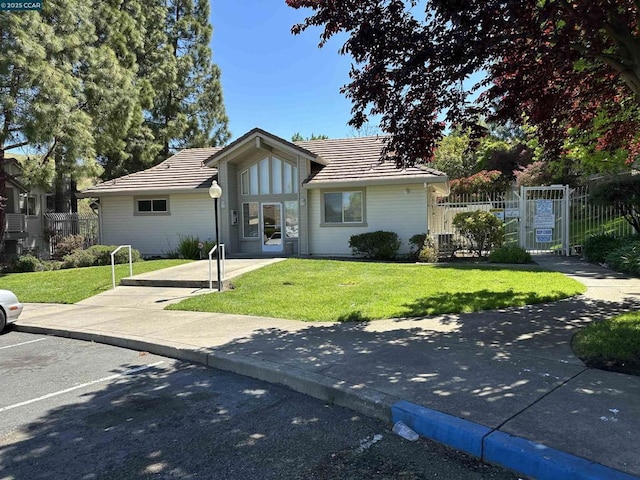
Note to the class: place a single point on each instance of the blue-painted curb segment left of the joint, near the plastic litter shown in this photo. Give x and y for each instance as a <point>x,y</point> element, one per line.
<point>446,429</point>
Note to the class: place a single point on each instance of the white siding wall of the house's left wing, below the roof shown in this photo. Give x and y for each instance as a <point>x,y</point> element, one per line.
<point>191,214</point>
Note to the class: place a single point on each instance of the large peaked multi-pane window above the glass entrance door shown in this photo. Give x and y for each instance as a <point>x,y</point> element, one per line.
<point>270,176</point>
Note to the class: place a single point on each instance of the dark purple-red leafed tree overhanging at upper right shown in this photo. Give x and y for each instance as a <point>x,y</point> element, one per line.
<point>554,64</point>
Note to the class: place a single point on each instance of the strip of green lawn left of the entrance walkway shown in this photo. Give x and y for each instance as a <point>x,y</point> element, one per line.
<point>75,284</point>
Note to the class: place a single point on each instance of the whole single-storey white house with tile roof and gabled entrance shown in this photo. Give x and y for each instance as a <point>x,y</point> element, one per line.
<point>279,198</point>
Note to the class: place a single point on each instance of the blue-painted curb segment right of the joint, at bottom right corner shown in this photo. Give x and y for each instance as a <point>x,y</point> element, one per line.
<point>542,462</point>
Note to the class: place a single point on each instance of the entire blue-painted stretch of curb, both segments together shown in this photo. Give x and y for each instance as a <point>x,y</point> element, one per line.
<point>529,458</point>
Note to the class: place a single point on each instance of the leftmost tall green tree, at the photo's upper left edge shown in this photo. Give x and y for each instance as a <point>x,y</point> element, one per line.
<point>39,89</point>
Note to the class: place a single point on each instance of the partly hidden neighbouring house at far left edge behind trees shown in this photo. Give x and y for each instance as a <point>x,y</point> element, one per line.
<point>24,210</point>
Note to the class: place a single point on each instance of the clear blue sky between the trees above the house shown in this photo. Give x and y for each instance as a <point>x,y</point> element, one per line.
<point>272,79</point>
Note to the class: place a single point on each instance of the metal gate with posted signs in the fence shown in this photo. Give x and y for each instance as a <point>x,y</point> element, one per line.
<point>544,219</point>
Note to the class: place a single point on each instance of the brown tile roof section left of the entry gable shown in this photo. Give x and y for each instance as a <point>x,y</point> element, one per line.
<point>183,171</point>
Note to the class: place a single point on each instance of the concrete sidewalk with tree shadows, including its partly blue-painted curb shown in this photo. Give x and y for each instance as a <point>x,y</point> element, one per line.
<point>503,385</point>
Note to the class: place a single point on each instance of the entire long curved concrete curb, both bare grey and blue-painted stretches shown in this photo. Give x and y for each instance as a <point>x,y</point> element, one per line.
<point>518,454</point>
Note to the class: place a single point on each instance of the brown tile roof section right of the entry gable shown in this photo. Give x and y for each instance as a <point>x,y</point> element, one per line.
<point>352,160</point>
